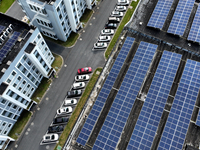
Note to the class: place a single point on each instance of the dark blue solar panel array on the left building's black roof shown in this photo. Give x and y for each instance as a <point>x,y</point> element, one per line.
<point>8,45</point>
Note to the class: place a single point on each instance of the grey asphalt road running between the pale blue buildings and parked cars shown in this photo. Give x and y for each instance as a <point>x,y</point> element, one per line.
<point>78,56</point>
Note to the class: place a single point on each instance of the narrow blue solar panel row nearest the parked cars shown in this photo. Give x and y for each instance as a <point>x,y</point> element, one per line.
<point>98,105</point>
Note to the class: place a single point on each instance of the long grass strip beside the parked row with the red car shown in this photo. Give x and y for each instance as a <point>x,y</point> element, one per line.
<point>78,109</point>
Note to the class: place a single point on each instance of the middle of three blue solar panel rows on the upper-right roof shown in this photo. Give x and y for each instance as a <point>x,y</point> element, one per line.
<point>181,16</point>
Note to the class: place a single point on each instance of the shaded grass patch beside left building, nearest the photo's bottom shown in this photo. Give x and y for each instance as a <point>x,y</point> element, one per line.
<point>20,124</point>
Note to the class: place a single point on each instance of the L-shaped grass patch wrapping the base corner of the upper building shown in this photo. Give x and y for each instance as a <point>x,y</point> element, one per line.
<point>70,41</point>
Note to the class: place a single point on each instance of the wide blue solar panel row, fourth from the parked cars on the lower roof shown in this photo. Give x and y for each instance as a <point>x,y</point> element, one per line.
<point>181,111</point>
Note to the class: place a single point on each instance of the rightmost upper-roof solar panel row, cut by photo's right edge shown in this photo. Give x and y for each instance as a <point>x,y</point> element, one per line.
<point>194,34</point>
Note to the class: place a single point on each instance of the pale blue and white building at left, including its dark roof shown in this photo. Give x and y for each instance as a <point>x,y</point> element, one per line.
<point>24,60</point>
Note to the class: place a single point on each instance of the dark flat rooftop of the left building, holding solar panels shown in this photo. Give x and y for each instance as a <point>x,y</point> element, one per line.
<point>13,36</point>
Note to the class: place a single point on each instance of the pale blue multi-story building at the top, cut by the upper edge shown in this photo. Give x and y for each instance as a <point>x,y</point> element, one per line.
<point>56,18</point>
